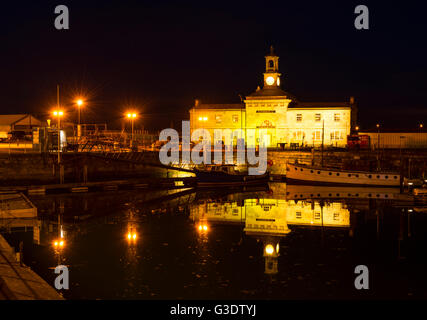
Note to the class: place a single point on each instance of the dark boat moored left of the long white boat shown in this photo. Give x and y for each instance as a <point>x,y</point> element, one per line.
<point>226,175</point>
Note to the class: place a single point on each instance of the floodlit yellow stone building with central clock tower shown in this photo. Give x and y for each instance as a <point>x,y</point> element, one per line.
<point>277,115</point>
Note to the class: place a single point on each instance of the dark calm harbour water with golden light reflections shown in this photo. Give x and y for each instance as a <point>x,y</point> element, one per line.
<point>267,243</point>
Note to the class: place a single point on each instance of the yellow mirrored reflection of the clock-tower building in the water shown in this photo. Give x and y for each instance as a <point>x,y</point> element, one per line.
<point>267,219</point>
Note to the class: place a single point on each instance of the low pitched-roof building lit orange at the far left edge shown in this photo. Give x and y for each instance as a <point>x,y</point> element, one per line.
<point>17,122</point>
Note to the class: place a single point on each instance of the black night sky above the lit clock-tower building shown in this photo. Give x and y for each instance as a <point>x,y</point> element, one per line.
<point>159,56</point>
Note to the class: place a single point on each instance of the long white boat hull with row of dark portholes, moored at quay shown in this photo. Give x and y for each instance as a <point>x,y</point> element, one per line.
<point>301,174</point>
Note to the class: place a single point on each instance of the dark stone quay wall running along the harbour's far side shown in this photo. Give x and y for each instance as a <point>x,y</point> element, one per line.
<point>36,169</point>
